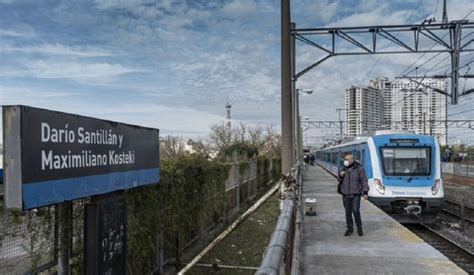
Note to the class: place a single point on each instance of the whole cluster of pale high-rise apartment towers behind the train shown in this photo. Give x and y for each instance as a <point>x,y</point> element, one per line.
<point>399,104</point>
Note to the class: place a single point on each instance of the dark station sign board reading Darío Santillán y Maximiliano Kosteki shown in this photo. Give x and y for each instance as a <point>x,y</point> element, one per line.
<point>52,157</point>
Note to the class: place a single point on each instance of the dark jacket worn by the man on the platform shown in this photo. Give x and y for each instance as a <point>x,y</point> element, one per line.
<point>354,182</point>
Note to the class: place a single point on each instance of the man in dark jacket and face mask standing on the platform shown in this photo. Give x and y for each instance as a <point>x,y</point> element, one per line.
<point>352,185</point>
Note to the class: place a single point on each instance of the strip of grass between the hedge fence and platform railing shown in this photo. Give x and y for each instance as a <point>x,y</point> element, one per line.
<point>246,244</point>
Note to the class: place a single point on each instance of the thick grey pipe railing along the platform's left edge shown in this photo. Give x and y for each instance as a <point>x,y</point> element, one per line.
<point>282,253</point>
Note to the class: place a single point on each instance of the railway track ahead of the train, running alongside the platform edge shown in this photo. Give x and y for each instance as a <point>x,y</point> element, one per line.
<point>458,255</point>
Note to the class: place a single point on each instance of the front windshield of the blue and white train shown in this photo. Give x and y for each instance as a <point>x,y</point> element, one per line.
<point>406,161</point>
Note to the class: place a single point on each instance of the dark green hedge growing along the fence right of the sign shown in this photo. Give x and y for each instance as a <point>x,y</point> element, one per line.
<point>189,198</point>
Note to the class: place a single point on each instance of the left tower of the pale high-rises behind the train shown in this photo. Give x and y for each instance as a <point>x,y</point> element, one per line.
<point>364,110</point>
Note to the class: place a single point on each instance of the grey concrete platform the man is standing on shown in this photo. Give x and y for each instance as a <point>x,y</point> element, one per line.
<point>387,247</point>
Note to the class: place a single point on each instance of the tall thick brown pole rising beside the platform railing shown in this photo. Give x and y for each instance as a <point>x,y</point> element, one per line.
<point>286,97</point>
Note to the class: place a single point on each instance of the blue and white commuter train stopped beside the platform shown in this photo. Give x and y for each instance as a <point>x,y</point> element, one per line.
<point>403,170</point>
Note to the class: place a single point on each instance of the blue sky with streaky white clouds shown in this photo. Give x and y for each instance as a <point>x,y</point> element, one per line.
<point>173,64</point>
